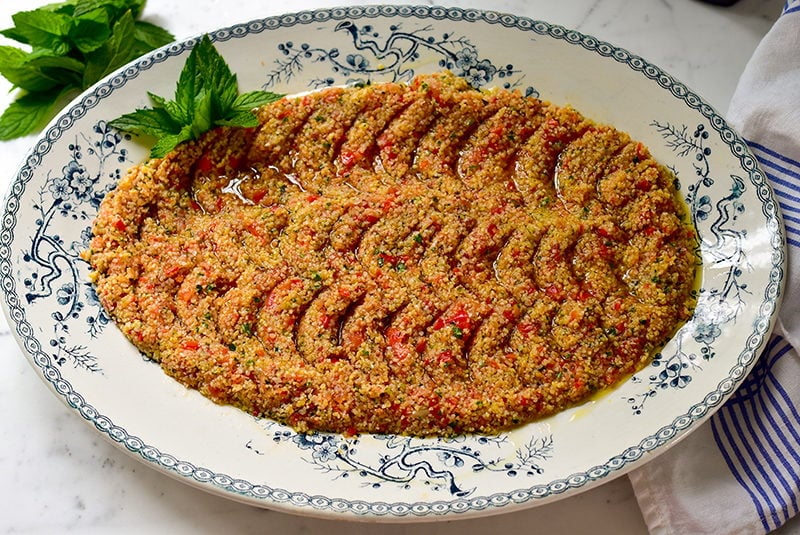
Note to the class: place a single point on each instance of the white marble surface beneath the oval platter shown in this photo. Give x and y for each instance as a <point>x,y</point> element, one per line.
<point>58,475</point>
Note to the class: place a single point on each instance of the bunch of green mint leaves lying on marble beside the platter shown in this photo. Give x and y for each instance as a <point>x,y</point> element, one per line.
<point>70,46</point>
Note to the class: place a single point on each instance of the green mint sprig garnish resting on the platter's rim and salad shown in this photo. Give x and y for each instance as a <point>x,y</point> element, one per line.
<point>206,95</point>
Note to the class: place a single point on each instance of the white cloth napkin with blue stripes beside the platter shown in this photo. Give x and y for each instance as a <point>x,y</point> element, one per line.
<point>740,472</point>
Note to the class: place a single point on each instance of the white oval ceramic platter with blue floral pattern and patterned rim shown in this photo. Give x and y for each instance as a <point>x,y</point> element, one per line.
<point>89,365</point>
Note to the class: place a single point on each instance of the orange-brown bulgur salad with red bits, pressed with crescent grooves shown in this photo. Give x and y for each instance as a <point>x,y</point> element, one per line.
<point>421,259</point>
